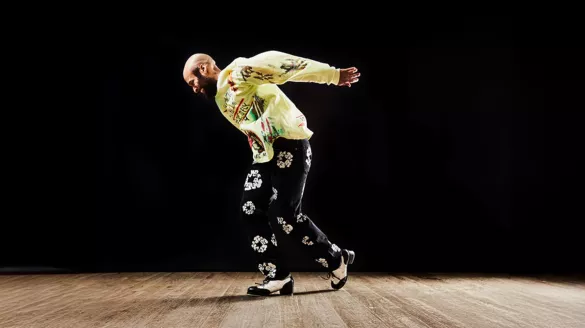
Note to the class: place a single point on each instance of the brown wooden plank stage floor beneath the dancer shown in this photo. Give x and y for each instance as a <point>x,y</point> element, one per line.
<point>207,299</point>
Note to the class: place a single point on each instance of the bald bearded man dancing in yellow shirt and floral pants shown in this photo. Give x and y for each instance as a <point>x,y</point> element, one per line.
<point>247,94</point>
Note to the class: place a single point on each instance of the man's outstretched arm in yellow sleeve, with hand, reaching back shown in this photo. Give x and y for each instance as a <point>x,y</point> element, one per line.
<point>278,68</point>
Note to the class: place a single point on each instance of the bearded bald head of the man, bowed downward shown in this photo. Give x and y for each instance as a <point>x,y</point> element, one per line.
<point>200,73</point>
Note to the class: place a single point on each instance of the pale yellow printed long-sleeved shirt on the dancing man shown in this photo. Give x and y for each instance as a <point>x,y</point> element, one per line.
<point>249,97</point>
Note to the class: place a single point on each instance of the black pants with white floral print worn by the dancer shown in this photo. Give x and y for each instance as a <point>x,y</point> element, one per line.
<point>271,210</point>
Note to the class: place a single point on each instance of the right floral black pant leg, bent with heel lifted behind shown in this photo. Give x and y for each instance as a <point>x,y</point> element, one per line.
<point>290,167</point>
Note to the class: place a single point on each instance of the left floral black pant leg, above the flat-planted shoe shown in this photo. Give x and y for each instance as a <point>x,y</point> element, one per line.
<point>256,198</point>
